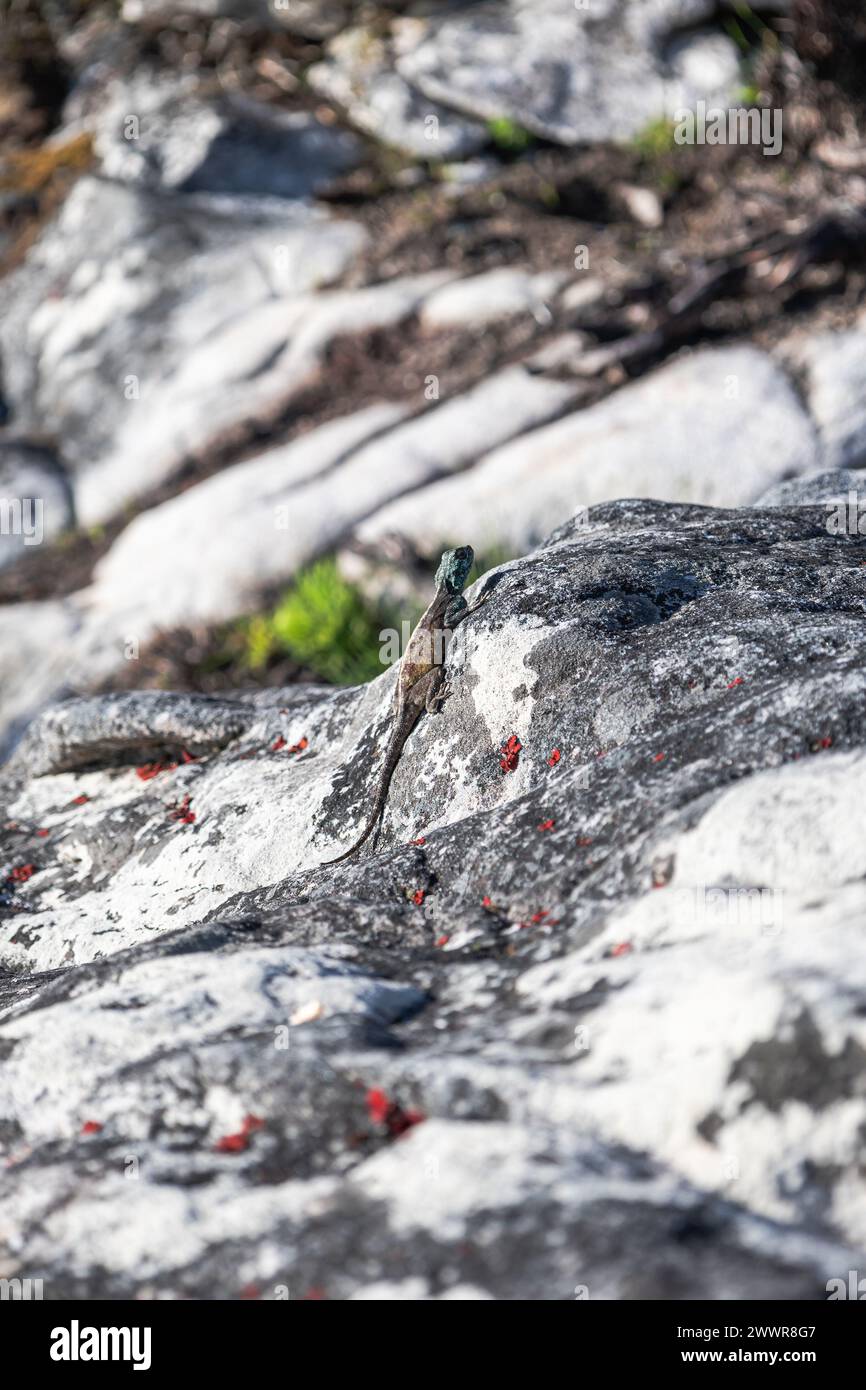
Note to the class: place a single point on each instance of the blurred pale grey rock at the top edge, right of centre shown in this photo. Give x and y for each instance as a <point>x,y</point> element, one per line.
<point>571,74</point>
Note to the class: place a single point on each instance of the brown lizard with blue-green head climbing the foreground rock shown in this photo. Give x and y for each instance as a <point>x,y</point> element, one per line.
<point>422,678</point>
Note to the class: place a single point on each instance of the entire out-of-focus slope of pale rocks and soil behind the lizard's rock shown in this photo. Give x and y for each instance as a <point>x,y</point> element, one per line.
<point>293,295</point>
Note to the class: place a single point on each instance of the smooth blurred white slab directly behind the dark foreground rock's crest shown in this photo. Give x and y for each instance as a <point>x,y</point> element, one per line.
<point>639,443</point>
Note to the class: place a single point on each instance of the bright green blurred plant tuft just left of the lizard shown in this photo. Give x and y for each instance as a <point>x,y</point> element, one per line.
<point>323,623</point>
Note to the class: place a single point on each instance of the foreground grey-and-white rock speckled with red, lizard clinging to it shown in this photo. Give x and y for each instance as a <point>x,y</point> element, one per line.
<point>615,988</point>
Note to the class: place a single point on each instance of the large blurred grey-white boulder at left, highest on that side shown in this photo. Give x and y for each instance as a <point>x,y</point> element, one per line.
<point>111,305</point>
